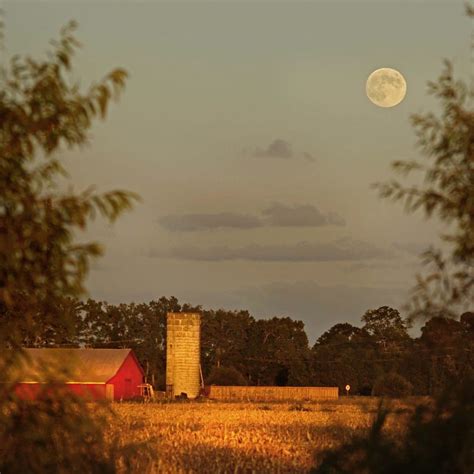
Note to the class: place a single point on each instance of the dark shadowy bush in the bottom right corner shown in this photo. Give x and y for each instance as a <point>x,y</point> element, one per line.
<point>439,438</point>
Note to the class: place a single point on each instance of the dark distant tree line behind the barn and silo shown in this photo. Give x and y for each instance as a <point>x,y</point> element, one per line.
<point>378,357</point>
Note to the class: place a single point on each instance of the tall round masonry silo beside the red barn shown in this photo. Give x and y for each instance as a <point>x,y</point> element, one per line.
<point>183,337</point>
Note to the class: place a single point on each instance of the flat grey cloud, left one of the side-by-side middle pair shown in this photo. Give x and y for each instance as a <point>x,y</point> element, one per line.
<point>193,222</point>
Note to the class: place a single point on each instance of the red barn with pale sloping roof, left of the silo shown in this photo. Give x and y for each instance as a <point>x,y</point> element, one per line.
<point>112,374</point>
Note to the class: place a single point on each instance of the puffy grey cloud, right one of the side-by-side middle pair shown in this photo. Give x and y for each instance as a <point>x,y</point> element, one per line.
<point>300,215</point>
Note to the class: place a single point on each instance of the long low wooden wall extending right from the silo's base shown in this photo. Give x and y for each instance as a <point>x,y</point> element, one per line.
<point>271,393</point>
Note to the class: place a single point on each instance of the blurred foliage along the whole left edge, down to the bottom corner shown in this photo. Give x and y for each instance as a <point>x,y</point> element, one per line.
<point>42,266</point>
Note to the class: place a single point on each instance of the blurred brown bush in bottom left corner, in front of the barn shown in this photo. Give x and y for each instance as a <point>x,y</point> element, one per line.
<point>55,433</point>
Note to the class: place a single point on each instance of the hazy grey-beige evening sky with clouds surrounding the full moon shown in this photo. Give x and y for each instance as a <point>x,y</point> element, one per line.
<point>246,129</point>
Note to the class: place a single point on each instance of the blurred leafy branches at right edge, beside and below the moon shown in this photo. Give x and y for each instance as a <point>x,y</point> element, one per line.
<point>447,141</point>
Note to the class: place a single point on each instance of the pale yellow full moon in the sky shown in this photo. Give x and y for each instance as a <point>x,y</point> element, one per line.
<point>386,87</point>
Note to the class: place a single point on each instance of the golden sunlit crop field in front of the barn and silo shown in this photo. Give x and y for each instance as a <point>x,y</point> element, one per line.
<point>217,437</point>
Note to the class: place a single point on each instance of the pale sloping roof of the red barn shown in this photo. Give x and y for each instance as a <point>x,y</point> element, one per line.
<point>70,365</point>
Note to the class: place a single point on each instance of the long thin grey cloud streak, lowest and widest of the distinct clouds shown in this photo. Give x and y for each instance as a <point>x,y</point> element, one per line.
<point>339,250</point>
